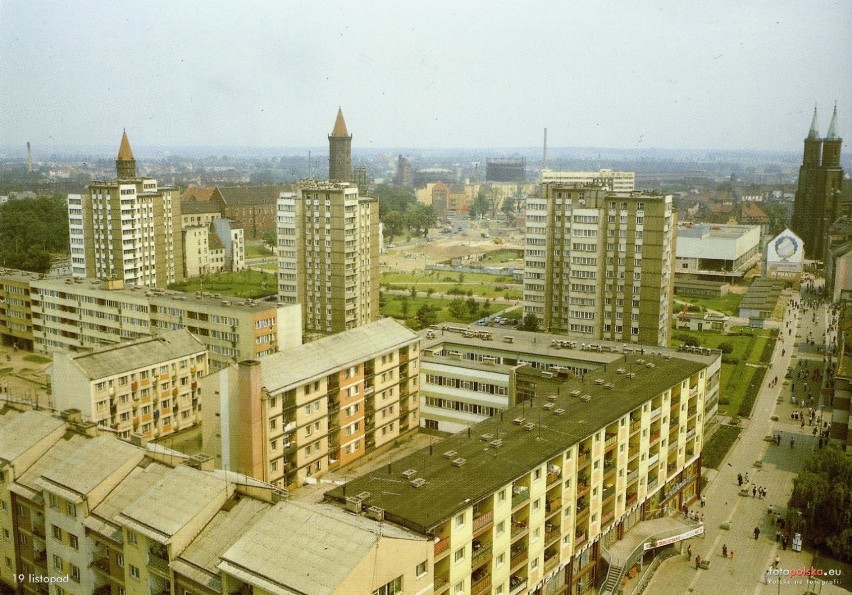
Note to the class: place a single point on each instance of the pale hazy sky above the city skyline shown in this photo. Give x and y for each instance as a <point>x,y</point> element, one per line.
<point>667,74</point>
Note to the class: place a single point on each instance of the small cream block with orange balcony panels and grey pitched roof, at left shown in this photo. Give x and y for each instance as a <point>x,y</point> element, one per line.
<point>148,387</point>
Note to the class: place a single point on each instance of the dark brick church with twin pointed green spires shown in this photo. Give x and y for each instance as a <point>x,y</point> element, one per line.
<point>818,203</point>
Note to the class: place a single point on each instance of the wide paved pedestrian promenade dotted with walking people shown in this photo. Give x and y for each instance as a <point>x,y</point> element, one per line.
<point>743,571</point>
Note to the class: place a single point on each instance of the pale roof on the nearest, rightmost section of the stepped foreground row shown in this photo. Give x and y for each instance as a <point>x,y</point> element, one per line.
<point>305,548</point>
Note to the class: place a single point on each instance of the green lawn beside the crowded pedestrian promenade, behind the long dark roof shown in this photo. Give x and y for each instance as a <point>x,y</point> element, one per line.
<point>740,378</point>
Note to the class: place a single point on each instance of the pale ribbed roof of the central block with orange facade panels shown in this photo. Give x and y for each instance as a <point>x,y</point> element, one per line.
<point>293,366</point>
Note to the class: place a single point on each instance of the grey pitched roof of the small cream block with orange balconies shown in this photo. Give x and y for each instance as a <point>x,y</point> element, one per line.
<point>141,353</point>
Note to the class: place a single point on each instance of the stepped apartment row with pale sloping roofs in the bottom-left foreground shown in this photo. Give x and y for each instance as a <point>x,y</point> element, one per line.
<point>98,515</point>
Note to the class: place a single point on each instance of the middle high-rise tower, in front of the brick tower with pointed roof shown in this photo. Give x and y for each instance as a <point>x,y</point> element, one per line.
<point>328,247</point>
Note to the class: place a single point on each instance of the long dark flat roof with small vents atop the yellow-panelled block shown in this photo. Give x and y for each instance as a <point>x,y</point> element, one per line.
<point>451,488</point>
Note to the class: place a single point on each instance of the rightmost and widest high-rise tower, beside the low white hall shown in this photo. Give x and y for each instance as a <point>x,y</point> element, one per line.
<point>600,264</point>
